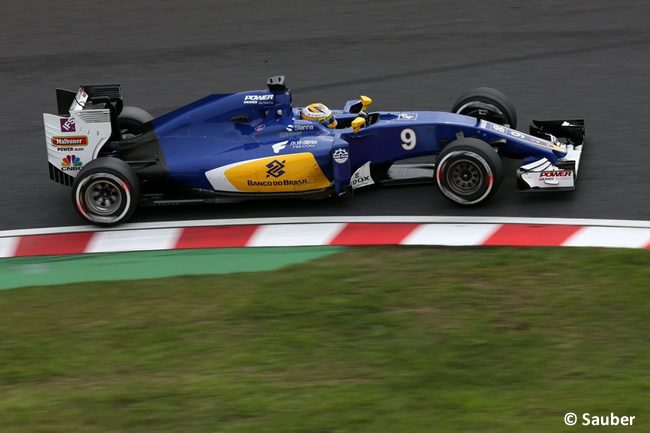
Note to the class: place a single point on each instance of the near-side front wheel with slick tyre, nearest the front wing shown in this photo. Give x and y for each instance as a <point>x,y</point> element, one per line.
<point>468,171</point>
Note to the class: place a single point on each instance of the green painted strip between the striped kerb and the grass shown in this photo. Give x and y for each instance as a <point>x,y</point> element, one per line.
<point>50,270</point>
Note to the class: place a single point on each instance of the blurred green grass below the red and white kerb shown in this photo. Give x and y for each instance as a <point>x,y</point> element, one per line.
<point>388,339</point>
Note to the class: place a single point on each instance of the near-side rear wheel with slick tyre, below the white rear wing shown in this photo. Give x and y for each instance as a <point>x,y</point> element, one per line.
<point>106,191</point>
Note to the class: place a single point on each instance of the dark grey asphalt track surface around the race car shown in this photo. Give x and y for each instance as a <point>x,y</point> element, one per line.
<point>555,59</point>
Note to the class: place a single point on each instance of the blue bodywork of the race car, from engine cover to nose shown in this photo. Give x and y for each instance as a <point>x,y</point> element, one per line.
<point>224,129</point>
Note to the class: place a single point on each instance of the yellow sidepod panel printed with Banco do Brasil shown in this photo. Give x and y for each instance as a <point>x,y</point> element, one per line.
<point>282,173</point>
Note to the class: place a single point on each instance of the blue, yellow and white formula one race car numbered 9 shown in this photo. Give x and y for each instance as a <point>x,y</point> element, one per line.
<point>255,144</point>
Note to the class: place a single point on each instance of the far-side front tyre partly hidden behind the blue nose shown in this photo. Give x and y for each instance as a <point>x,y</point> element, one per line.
<point>487,104</point>
